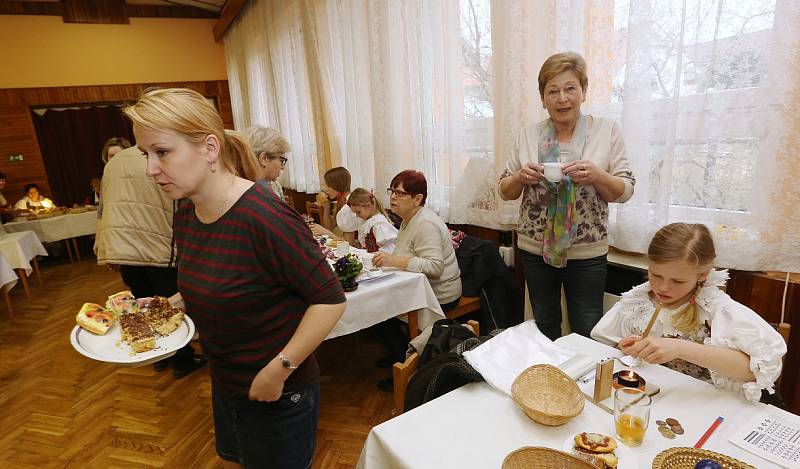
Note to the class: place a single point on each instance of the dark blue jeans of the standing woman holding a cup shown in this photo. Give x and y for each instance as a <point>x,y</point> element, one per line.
<point>584,282</point>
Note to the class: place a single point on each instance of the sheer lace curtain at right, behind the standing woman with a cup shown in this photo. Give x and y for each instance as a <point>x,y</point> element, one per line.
<point>703,90</point>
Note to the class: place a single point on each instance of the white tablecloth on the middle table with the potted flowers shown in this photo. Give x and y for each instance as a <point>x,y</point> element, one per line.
<point>375,302</point>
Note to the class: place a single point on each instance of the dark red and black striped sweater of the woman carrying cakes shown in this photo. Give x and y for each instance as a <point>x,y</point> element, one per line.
<point>247,280</point>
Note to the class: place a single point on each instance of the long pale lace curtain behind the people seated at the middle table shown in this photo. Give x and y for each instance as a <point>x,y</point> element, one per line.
<point>374,86</point>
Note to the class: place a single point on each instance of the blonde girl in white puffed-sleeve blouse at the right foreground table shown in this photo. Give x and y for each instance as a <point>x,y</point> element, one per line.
<point>699,330</point>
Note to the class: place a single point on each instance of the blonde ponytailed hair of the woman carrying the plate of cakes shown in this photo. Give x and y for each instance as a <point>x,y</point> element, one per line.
<point>190,114</point>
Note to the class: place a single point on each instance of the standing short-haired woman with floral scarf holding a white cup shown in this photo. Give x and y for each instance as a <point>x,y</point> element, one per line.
<point>563,225</point>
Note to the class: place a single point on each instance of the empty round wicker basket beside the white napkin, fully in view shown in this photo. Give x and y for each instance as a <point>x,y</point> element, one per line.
<point>547,395</point>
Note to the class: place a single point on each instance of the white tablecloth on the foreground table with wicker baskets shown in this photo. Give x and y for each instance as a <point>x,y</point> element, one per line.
<point>476,426</point>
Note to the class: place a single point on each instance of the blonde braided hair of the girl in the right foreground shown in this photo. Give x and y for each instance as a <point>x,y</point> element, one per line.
<point>691,243</point>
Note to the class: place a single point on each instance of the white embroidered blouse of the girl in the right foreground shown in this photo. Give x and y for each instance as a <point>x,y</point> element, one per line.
<point>732,325</point>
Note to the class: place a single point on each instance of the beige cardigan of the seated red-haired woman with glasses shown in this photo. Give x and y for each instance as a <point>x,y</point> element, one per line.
<point>426,239</point>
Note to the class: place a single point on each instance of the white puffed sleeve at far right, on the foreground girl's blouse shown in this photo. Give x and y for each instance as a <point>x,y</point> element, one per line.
<point>737,327</point>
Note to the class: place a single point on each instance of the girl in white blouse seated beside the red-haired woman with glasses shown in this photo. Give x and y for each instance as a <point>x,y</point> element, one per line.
<point>375,232</point>
